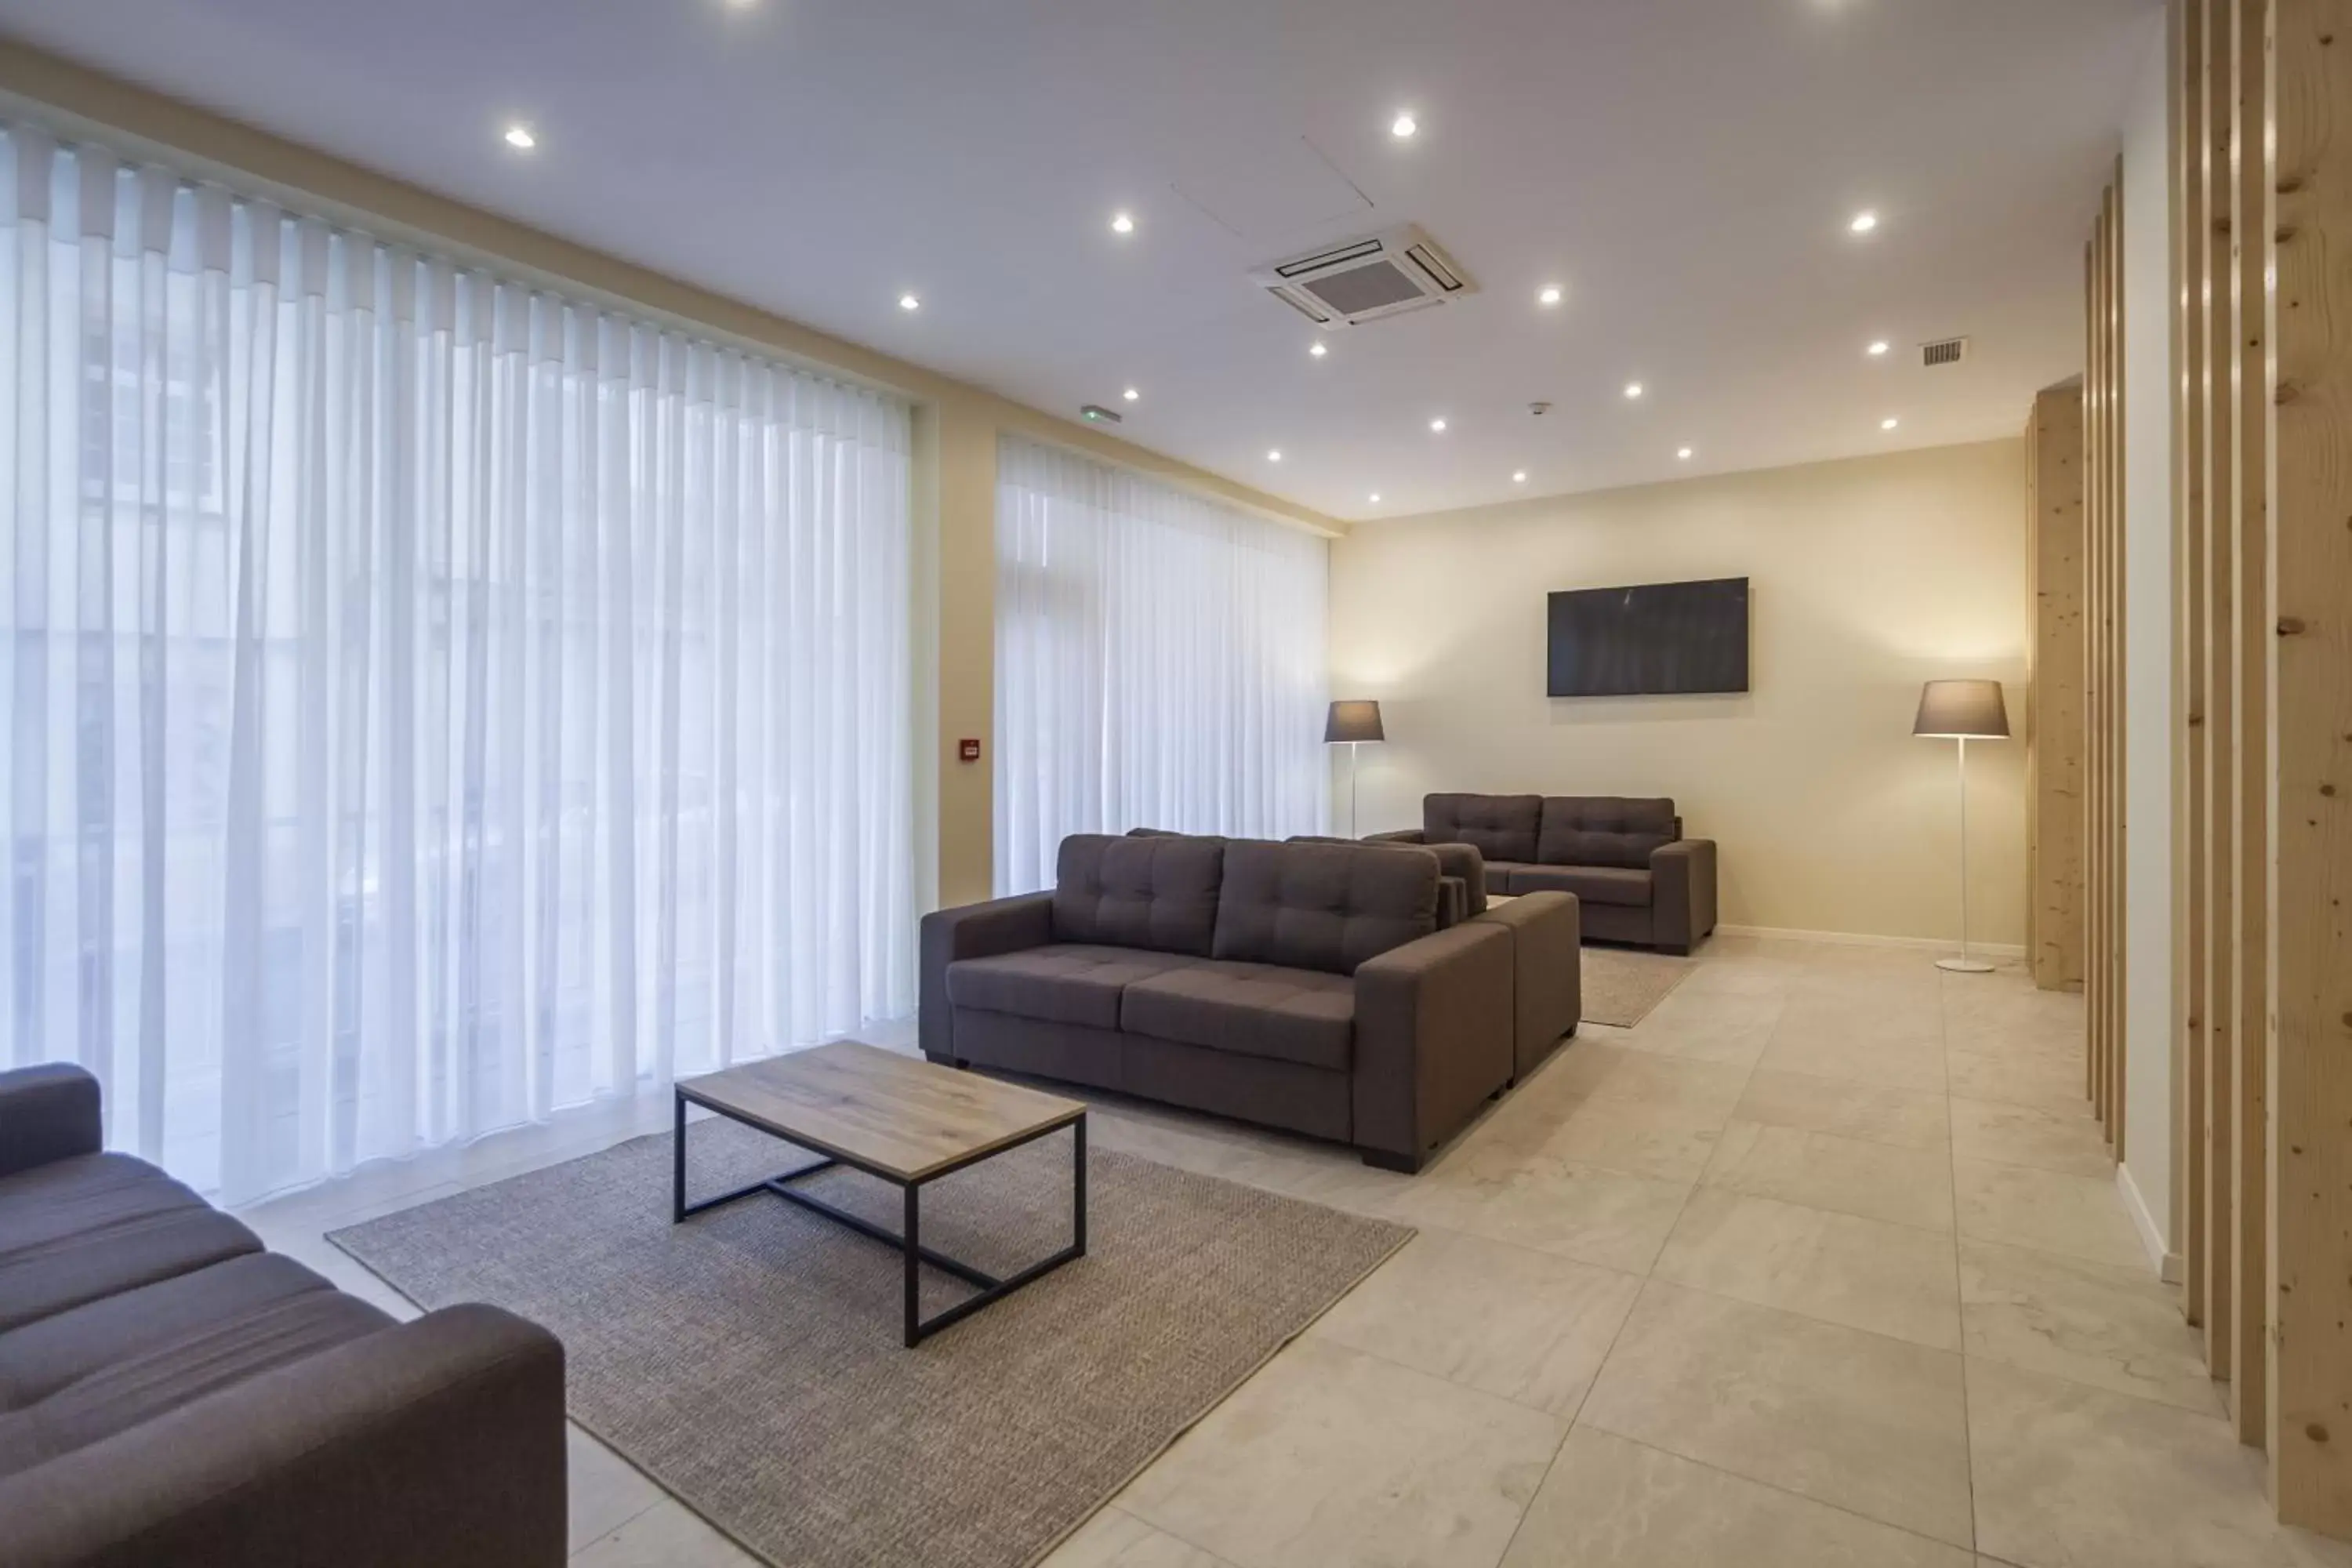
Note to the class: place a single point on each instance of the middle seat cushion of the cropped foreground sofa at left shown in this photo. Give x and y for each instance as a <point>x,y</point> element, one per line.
<point>39,1360</point>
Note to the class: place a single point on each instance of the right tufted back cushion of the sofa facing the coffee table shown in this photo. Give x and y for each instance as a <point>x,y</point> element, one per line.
<point>1323,906</point>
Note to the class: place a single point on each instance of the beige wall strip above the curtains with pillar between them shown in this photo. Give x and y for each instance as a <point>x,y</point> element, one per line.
<point>956,424</point>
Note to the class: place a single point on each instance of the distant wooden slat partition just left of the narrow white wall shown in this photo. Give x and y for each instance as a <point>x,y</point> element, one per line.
<point>2104,666</point>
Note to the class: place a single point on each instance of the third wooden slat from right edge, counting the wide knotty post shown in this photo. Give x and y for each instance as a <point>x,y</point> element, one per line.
<point>2219,683</point>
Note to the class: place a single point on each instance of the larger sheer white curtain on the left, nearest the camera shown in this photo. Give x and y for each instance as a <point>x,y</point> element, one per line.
<point>427,702</point>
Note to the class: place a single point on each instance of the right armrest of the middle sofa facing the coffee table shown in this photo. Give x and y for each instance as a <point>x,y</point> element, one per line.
<point>1434,1040</point>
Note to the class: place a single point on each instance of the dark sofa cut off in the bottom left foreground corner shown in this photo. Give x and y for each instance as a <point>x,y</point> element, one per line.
<point>175,1395</point>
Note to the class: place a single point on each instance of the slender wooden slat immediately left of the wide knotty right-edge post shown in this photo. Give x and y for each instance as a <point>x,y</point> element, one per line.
<point>2250,702</point>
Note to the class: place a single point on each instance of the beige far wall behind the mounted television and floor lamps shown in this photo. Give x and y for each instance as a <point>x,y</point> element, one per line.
<point>1869,577</point>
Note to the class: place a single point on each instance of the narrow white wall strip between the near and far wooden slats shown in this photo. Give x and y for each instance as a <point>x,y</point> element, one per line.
<point>2149,657</point>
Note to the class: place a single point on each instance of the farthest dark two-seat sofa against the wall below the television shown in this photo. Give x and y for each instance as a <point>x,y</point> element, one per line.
<point>1626,859</point>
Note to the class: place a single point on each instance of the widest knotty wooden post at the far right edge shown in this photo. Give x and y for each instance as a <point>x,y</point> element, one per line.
<point>2311,709</point>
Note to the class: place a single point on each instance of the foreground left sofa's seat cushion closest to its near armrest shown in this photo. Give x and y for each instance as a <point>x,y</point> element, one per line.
<point>168,1376</point>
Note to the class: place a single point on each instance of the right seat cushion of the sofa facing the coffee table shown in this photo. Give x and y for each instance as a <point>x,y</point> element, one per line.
<point>1252,1010</point>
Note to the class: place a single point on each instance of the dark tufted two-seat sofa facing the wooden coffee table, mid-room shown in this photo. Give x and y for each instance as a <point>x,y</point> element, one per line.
<point>1297,986</point>
